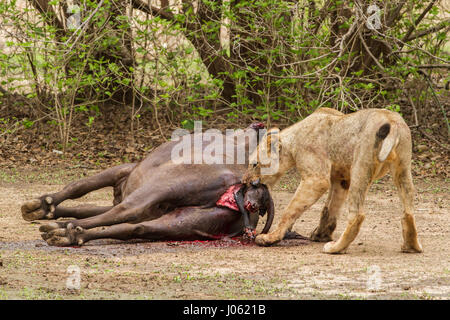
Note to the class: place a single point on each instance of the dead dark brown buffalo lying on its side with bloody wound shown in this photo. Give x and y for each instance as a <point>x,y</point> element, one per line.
<point>159,199</point>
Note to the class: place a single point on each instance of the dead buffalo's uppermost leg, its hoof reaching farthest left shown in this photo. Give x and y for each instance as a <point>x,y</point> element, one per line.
<point>44,206</point>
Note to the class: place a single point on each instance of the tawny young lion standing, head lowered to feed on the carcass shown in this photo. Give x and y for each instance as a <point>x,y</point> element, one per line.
<point>343,153</point>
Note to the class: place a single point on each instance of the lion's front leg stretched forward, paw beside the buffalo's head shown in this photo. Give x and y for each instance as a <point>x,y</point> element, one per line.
<point>307,193</point>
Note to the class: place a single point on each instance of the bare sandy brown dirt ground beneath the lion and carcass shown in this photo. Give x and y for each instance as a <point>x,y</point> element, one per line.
<point>373,268</point>
